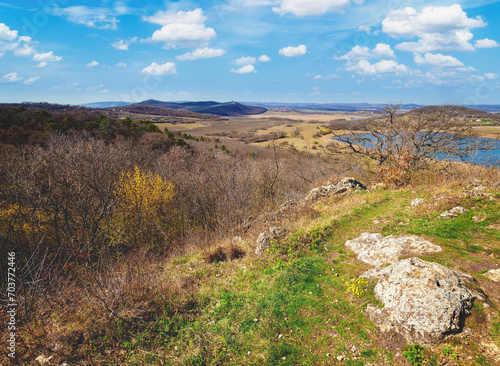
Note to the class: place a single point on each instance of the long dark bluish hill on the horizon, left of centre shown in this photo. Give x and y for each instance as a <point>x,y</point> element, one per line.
<point>210,107</point>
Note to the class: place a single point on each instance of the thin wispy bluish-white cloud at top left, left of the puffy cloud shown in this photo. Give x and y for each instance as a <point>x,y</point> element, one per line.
<point>100,18</point>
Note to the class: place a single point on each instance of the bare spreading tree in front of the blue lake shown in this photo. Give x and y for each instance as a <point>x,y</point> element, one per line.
<point>404,144</point>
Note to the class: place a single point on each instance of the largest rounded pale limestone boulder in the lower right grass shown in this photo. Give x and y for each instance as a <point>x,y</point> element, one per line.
<point>423,300</point>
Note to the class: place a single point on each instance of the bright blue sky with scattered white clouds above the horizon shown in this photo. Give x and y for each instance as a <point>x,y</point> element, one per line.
<point>323,51</point>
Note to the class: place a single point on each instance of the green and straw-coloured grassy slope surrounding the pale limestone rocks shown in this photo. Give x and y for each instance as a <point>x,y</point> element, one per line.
<point>297,305</point>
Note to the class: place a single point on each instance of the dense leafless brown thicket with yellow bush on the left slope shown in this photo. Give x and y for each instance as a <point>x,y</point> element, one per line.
<point>96,188</point>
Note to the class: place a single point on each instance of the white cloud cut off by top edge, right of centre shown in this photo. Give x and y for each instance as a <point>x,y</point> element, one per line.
<point>302,8</point>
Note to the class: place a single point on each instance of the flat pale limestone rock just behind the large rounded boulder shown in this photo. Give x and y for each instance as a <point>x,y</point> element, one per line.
<point>377,250</point>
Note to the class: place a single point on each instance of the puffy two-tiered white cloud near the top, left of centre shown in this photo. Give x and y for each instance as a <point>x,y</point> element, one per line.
<point>181,29</point>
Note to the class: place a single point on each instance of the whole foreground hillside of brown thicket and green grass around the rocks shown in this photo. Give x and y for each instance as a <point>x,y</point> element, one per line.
<point>138,248</point>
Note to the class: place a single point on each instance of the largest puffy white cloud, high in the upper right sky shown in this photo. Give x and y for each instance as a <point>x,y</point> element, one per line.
<point>437,27</point>
